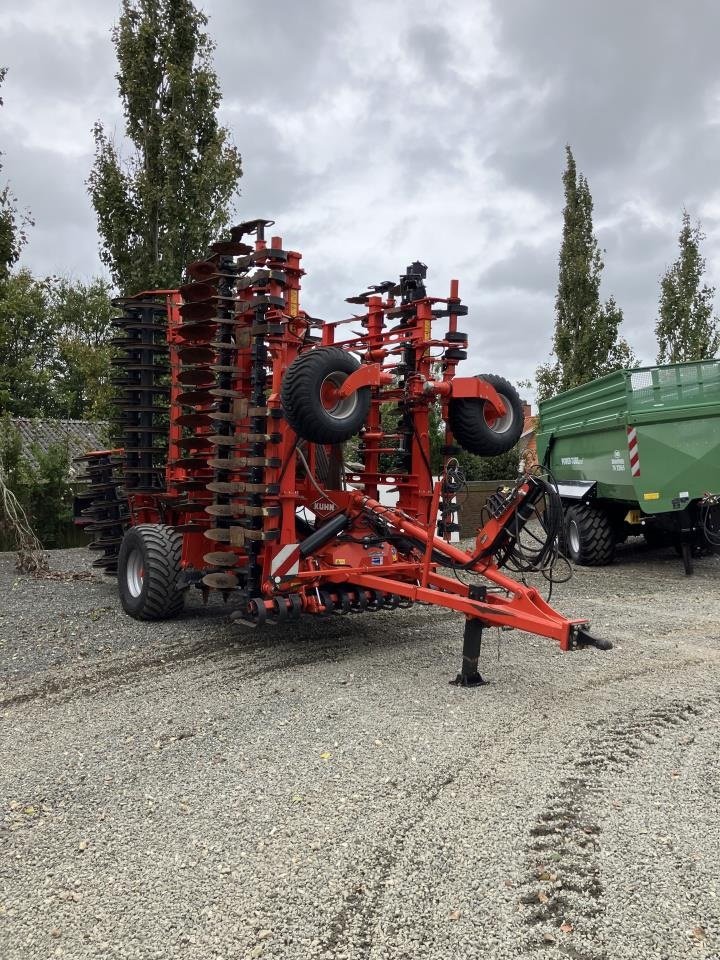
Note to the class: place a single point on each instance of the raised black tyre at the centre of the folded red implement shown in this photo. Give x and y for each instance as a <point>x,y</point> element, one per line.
<point>307,396</point>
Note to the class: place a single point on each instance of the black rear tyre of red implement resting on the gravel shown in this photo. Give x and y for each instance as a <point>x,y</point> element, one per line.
<point>149,572</point>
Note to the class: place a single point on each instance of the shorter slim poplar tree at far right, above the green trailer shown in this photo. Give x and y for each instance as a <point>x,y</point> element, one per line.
<point>686,328</point>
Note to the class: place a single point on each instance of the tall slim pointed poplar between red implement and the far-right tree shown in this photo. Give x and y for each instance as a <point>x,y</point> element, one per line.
<point>587,343</point>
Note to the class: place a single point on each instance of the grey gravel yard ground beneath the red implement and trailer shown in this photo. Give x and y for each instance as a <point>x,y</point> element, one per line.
<point>194,789</point>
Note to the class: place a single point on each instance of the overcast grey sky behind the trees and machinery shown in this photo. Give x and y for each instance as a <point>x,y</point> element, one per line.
<point>377,132</point>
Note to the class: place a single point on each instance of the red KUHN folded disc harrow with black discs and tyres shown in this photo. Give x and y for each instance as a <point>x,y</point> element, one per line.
<point>238,410</point>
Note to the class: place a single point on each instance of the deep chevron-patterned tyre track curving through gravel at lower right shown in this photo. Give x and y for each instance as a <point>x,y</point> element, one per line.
<point>562,905</point>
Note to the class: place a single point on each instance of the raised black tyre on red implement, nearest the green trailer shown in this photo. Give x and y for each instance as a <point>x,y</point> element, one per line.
<point>476,432</point>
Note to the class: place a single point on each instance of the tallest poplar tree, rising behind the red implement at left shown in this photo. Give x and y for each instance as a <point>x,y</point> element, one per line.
<point>162,207</point>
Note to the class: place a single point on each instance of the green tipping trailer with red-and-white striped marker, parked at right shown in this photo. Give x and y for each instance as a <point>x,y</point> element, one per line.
<point>637,452</point>
